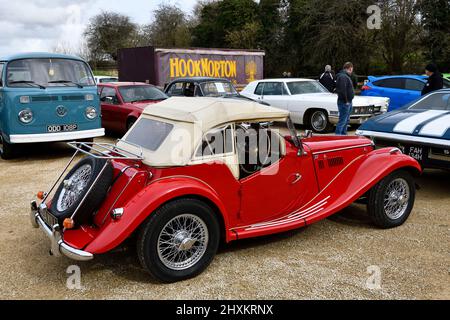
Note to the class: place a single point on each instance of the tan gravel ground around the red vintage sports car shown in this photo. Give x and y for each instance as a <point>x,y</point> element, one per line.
<point>328,260</point>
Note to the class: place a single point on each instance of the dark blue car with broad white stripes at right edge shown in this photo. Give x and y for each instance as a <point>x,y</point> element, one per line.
<point>420,129</point>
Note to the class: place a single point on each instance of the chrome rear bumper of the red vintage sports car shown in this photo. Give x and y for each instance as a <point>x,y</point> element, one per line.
<point>58,246</point>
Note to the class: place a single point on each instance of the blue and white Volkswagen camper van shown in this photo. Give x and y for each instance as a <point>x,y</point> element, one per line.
<point>44,98</point>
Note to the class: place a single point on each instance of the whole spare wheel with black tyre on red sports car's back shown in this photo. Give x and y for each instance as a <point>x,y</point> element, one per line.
<point>76,185</point>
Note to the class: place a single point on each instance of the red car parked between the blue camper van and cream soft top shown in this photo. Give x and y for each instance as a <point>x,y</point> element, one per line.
<point>123,102</point>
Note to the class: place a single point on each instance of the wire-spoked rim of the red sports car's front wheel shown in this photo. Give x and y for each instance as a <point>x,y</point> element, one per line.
<point>396,198</point>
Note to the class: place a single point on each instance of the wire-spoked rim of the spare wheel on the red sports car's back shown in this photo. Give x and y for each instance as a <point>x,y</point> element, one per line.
<point>73,187</point>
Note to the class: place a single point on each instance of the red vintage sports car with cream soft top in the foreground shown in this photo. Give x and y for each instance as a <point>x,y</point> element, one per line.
<point>196,171</point>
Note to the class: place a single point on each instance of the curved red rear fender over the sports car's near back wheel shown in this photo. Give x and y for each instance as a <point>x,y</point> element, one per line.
<point>147,201</point>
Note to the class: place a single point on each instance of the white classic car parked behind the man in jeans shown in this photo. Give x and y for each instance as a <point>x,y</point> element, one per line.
<point>310,103</point>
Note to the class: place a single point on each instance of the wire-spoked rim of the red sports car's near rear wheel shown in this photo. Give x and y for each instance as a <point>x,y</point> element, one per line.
<point>182,242</point>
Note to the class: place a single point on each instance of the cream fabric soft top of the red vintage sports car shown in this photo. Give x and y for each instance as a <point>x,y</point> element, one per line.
<point>191,118</point>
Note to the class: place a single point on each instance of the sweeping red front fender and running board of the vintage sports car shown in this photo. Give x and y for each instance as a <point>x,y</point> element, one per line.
<point>360,175</point>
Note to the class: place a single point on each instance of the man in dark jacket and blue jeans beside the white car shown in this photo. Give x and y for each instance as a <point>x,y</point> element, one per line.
<point>346,93</point>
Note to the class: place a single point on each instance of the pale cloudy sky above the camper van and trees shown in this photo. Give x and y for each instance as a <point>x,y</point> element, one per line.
<point>40,25</point>
